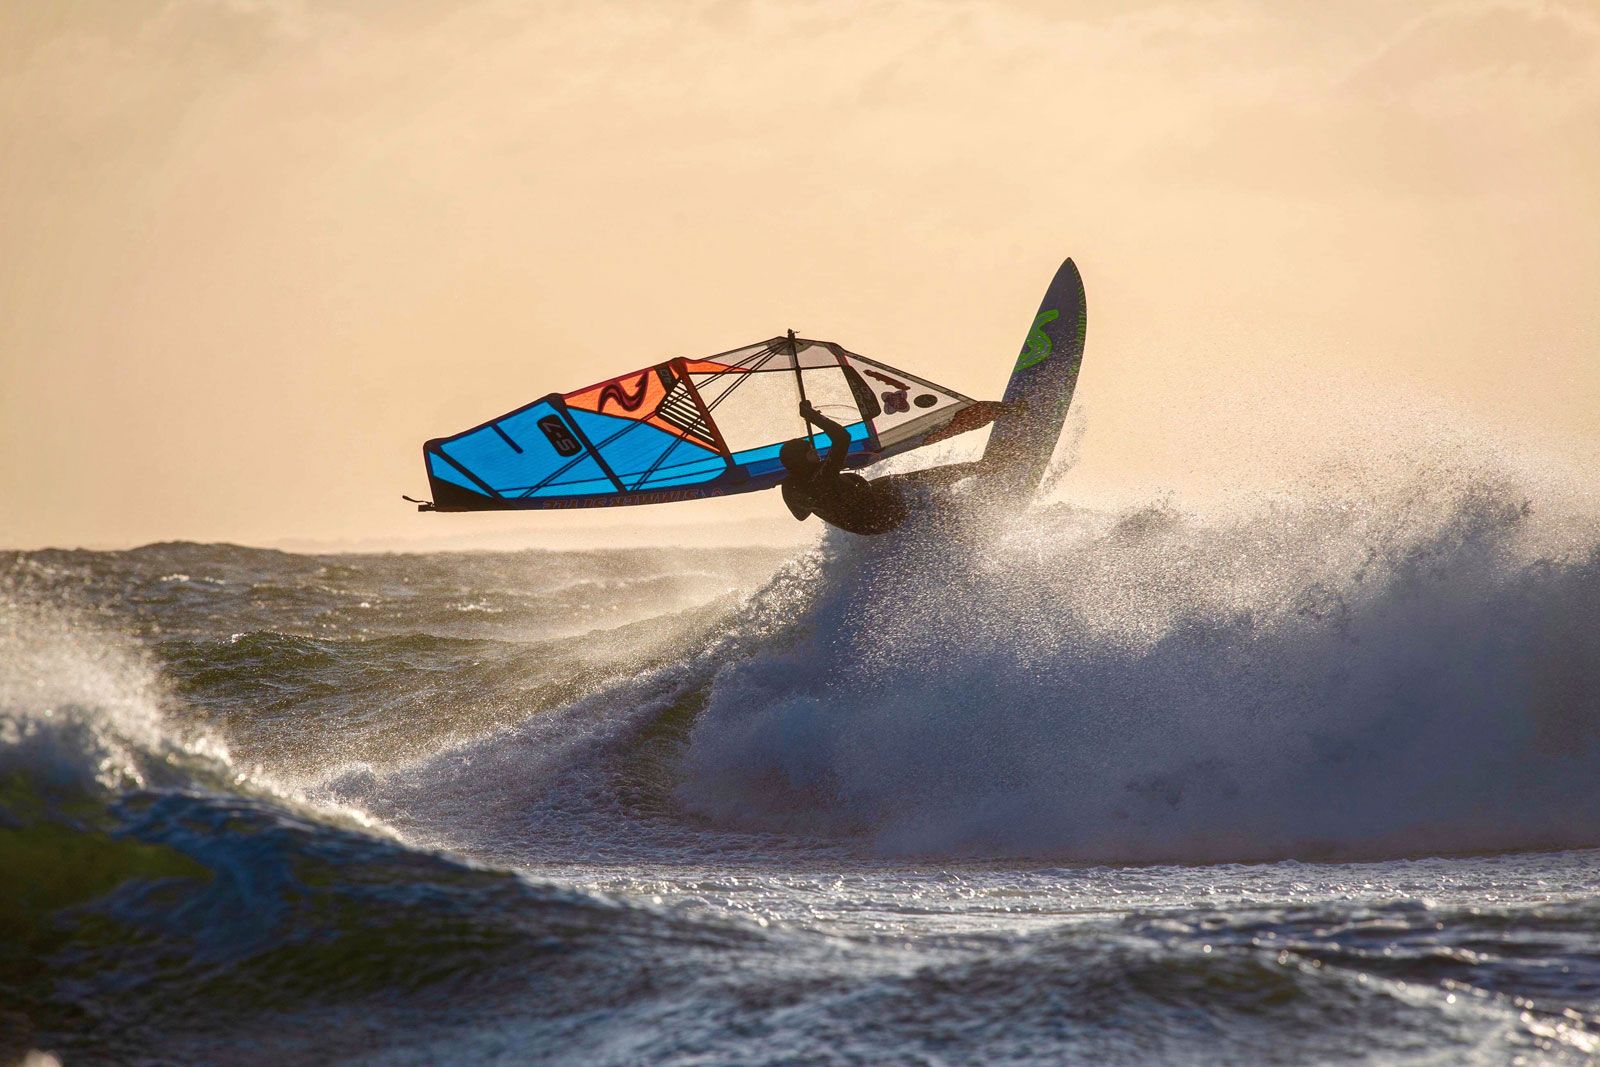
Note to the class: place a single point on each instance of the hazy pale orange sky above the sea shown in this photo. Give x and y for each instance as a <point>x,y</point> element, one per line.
<point>255,252</point>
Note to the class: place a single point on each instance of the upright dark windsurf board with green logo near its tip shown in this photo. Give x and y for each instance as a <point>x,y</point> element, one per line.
<point>1039,394</point>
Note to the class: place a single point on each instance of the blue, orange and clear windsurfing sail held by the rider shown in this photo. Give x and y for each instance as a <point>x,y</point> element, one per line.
<point>687,430</point>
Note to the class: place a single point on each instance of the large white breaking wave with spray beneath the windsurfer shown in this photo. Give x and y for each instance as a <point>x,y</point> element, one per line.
<point>1390,671</point>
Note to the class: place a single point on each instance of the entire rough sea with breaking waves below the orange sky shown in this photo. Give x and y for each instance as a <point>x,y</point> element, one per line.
<point>1314,781</point>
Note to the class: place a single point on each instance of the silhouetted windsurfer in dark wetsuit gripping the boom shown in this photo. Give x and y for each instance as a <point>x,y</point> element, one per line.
<point>825,489</point>
